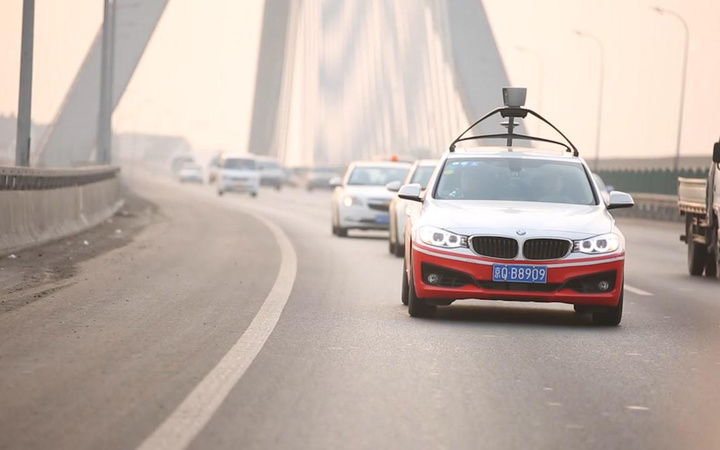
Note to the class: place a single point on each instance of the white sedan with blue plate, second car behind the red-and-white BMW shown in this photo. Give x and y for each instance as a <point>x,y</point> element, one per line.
<point>360,200</point>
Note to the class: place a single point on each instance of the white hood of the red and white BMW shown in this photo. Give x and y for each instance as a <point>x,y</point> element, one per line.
<point>470,217</point>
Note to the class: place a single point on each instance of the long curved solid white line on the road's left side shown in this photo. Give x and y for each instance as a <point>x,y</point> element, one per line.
<point>191,416</point>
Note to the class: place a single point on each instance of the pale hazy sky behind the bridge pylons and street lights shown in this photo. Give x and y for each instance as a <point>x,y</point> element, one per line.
<point>197,75</point>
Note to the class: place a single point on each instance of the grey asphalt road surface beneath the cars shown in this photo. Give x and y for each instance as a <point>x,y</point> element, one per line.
<point>109,360</point>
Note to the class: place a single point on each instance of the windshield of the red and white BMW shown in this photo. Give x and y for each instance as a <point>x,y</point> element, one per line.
<point>515,179</point>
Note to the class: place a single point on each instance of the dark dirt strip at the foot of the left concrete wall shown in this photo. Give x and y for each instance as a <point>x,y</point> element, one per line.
<point>32,274</point>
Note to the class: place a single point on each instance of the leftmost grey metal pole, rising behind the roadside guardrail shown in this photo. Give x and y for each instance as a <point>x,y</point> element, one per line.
<point>24,123</point>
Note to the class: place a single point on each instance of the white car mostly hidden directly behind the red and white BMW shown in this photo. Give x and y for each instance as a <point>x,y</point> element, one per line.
<point>419,173</point>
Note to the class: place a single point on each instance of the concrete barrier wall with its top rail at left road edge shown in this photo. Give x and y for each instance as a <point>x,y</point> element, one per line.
<point>38,206</point>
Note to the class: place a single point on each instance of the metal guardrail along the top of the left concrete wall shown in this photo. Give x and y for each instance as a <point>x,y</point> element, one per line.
<point>32,179</point>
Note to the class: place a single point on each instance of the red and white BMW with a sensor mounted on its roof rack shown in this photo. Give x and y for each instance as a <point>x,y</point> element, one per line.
<point>512,223</point>
